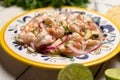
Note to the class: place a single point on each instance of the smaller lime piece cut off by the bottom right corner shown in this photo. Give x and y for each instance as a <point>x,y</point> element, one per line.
<point>112,74</point>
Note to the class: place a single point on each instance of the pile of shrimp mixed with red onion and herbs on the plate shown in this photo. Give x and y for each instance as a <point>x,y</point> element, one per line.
<point>56,33</point>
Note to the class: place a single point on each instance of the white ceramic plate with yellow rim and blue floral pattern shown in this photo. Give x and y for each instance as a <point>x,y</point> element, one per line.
<point>109,48</point>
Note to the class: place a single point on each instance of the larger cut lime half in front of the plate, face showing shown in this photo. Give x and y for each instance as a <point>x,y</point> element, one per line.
<point>75,71</point>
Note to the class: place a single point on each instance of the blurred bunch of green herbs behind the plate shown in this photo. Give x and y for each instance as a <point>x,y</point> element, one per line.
<point>32,4</point>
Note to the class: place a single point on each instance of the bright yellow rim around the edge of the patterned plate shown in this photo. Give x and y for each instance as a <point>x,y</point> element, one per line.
<point>55,66</point>
